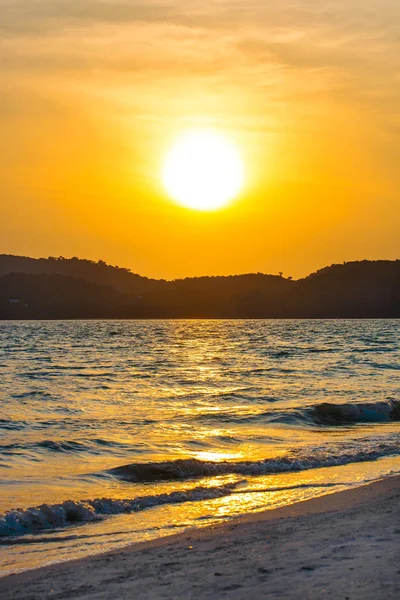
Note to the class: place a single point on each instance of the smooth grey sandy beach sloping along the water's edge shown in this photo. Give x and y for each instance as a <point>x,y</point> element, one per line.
<point>344,545</point>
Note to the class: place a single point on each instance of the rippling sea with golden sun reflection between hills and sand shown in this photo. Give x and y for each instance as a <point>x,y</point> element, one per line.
<point>113,432</point>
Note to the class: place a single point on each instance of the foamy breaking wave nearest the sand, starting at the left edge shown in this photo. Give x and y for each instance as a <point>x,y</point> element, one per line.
<point>55,516</point>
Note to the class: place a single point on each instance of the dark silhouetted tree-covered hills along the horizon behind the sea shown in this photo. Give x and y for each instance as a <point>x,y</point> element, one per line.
<point>60,288</point>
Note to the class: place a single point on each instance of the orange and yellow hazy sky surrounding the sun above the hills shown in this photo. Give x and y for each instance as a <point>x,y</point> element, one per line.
<point>93,93</point>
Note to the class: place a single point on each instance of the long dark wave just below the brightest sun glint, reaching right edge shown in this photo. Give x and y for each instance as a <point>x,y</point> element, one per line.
<point>296,460</point>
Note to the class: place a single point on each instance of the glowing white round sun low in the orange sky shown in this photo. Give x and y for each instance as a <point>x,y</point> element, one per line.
<point>203,170</point>
